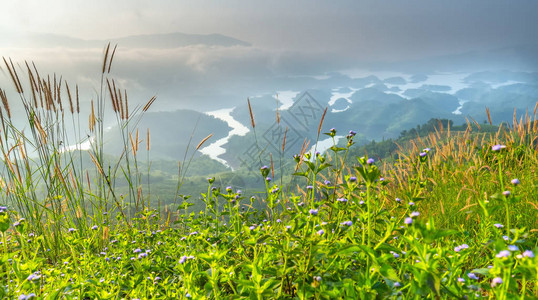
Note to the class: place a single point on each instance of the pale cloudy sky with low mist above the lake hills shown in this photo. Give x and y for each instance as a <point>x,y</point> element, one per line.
<point>287,38</point>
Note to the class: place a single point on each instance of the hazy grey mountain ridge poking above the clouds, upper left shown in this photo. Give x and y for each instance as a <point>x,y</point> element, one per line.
<point>169,40</point>
